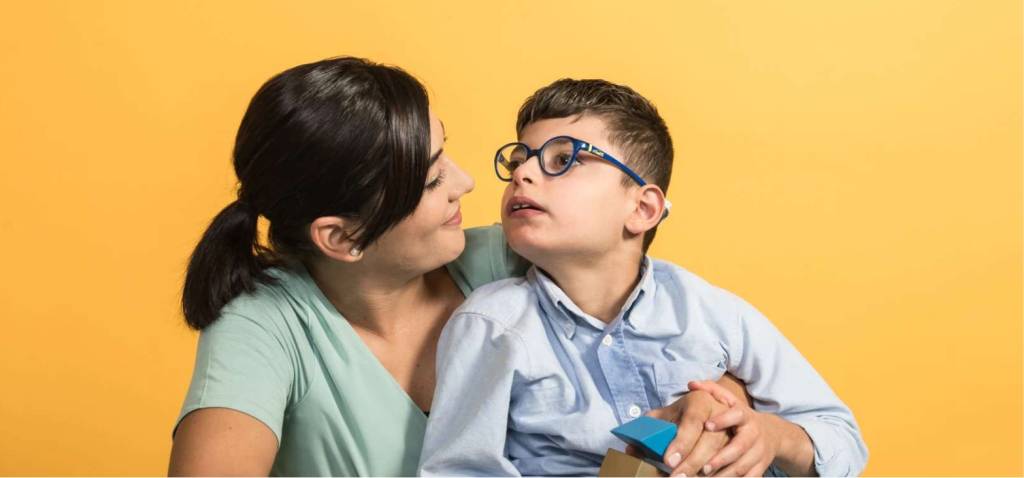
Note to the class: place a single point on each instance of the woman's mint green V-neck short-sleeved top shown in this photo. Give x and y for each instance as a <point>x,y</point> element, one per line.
<point>284,356</point>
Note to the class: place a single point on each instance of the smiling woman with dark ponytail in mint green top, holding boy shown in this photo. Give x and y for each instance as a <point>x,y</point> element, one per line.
<point>317,354</point>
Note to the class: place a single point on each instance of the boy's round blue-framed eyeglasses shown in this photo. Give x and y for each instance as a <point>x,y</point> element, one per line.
<point>557,157</point>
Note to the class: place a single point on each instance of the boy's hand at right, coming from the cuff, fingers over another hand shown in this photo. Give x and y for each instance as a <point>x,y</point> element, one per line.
<point>755,443</point>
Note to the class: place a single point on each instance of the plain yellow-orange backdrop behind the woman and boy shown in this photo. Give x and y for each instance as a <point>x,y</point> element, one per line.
<point>851,168</point>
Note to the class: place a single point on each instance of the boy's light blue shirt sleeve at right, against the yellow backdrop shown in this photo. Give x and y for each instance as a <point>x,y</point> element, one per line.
<point>783,382</point>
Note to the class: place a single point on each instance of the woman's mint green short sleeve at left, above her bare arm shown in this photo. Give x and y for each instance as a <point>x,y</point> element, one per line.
<point>241,365</point>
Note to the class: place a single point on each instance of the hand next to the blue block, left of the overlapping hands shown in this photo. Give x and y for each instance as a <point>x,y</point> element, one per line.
<point>694,443</point>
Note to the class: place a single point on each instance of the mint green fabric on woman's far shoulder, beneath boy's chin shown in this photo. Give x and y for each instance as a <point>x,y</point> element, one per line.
<point>486,259</point>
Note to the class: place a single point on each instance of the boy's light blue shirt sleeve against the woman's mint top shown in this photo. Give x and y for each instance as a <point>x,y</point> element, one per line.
<point>466,432</point>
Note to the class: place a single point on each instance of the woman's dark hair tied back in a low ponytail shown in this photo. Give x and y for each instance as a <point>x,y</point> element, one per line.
<point>339,138</point>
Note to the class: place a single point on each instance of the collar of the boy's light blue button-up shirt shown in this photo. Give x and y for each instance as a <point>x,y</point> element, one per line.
<point>637,311</point>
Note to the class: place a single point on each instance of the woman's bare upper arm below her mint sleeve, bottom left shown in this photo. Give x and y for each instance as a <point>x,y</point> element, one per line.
<point>223,443</point>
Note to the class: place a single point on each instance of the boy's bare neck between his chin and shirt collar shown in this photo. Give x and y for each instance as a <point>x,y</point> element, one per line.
<point>600,286</point>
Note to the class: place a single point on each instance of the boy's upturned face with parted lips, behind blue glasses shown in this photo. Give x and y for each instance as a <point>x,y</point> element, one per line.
<point>574,216</point>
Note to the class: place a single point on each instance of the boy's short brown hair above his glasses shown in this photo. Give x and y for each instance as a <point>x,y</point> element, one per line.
<point>633,123</point>
